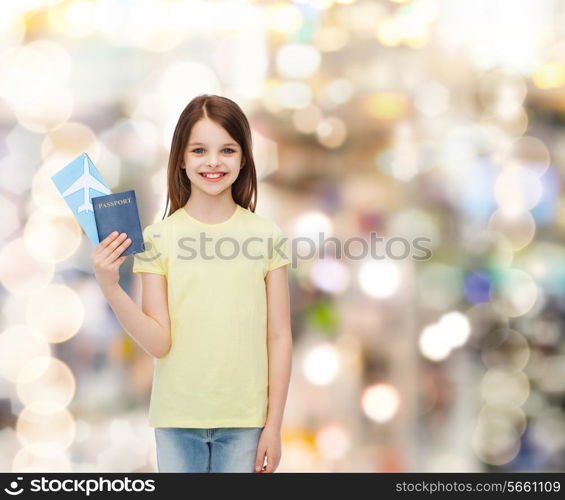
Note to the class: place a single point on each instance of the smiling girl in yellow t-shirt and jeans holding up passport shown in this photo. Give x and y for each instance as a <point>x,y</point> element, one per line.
<point>215,317</point>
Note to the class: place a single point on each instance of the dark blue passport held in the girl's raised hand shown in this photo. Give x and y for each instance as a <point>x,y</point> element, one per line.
<point>118,212</point>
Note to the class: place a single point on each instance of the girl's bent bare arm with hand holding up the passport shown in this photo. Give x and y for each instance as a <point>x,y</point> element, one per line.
<point>148,326</point>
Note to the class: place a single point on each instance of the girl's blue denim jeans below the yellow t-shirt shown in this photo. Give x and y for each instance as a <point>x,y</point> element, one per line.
<point>223,449</point>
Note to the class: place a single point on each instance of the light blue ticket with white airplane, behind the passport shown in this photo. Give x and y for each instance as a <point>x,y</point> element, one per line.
<point>77,182</point>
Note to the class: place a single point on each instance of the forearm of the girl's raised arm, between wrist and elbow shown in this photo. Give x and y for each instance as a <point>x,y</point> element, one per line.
<point>153,338</point>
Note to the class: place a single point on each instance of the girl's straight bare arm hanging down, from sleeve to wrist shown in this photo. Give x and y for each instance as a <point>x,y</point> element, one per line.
<point>279,342</point>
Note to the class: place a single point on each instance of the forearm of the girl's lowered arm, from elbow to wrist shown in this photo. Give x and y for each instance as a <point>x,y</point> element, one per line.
<point>280,365</point>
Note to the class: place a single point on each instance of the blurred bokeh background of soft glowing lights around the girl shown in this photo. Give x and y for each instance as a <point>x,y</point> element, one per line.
<point>440,119</point>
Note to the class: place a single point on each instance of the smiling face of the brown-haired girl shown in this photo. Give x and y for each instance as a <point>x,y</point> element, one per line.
<point>211,150</point>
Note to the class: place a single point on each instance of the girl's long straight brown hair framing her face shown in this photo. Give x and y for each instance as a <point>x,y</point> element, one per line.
<point>229,115</point>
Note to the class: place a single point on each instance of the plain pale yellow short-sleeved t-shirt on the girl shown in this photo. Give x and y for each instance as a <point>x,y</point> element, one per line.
<point>216,372</point>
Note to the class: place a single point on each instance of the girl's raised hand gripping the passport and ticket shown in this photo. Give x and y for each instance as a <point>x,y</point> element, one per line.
<point>106,259</point>
